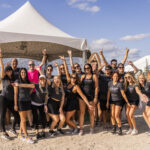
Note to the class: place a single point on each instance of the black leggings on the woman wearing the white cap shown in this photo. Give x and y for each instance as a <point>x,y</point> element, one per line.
<point>36,117</point>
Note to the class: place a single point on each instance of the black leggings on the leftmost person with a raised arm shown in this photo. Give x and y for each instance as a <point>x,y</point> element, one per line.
<point>4,104</point>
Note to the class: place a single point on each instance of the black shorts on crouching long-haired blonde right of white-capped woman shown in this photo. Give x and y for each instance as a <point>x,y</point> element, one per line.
<point>53,106</point>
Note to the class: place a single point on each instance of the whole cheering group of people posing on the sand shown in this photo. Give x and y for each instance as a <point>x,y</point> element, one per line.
<point>40,97</point>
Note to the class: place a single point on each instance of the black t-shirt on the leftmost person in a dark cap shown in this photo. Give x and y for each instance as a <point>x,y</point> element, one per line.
<point>8,90</point>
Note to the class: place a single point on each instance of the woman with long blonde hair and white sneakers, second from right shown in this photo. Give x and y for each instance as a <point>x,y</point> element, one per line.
<point>133,92</point>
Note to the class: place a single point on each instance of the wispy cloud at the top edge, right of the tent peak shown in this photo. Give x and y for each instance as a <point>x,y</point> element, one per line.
<point>85,5</point>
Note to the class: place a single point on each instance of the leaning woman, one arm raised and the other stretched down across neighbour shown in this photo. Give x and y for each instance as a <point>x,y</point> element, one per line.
<point>72,105</point>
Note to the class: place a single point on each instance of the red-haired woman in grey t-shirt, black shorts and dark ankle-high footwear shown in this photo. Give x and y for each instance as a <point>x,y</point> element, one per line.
<point>116,91</point>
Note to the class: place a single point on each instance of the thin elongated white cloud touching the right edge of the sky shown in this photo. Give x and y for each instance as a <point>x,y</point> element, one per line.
<point>134,37</point>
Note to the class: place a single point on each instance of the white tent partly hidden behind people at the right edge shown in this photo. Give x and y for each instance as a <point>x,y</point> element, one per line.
<point>141,64</point>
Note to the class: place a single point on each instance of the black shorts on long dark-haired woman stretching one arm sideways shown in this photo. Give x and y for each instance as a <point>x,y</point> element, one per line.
<point>24,105</point>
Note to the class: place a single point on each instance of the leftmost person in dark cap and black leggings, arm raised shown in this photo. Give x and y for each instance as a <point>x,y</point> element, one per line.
<point>7,98</point>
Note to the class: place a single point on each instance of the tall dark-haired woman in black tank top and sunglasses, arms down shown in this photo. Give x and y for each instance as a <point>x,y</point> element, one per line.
<point>89,86</point>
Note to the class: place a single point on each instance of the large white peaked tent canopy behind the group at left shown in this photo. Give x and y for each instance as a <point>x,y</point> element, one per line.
<point>26,32</point>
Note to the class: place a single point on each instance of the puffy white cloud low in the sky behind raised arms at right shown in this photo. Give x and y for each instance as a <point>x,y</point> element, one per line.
<point>112,50</point>
